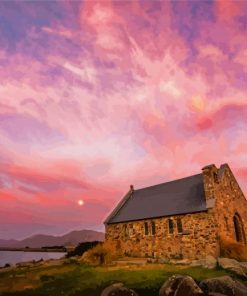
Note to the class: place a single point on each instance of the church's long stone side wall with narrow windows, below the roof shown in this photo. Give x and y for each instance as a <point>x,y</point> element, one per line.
<point>199,237</point>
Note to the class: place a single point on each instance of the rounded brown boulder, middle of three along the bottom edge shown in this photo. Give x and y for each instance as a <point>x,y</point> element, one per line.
<point>180,285</point>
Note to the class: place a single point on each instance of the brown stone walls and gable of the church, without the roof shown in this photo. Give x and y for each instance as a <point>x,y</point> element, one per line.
<point>200,231</point>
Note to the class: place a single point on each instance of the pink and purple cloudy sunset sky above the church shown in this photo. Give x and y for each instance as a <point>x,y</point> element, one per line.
<point>98,95</point>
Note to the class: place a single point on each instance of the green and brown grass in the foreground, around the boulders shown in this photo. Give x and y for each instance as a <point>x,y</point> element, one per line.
<point>79,280</point>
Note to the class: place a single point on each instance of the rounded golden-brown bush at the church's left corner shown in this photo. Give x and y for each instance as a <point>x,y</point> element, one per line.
<point>99,255</point>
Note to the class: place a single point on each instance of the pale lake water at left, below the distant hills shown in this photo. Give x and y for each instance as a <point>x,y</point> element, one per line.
<point>12,257</point>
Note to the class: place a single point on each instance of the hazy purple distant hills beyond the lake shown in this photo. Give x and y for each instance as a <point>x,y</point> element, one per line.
<point>42,240</point>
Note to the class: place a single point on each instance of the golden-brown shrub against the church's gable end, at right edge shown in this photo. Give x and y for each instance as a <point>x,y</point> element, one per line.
<point>232,249</point>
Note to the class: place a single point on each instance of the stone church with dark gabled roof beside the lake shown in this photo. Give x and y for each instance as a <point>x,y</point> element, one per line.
<point>182,218</point>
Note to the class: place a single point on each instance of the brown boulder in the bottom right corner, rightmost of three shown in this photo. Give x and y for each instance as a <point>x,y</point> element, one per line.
<point>223,285</point>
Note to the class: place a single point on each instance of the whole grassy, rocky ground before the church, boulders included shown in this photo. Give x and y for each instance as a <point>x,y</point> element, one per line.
<point>126,277</point>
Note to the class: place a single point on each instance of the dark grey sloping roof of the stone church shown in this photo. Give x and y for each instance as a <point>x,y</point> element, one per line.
<point>172,198</point>
